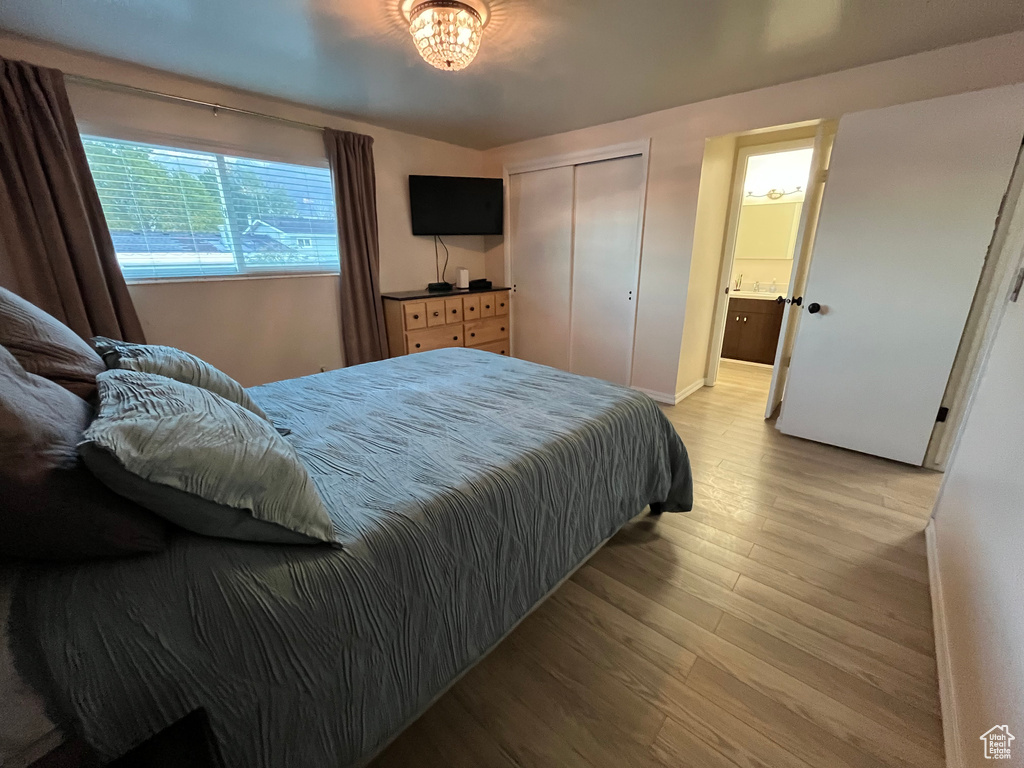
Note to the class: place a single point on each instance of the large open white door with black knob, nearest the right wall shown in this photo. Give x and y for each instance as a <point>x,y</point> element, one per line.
<point>909,211</point>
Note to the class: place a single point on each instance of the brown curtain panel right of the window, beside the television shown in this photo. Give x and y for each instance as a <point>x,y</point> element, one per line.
<point>363,335</point>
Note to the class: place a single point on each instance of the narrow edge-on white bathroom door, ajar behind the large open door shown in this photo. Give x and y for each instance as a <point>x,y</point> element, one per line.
<point>801,265</point>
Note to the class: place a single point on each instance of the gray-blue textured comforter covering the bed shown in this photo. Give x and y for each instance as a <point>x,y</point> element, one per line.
<point>463,487</point>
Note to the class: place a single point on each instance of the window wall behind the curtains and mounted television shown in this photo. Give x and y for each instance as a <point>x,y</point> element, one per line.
<point>260,330</point>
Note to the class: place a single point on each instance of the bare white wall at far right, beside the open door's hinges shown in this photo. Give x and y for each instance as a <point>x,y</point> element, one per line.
<point>979,548</point>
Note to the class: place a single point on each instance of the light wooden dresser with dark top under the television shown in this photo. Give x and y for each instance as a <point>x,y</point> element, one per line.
<point>420,321</point>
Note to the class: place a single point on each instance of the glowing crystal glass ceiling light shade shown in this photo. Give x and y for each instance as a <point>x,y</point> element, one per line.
<point>447,33</point>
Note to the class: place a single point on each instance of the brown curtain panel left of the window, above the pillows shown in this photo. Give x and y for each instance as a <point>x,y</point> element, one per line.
<point>56,249</point>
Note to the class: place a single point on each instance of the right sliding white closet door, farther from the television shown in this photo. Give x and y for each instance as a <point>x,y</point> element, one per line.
<point>606,268</point>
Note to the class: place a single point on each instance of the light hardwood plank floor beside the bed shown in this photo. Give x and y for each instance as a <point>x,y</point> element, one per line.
<point>785,623</point>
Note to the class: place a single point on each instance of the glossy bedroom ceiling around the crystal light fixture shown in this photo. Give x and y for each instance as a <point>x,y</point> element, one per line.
<point>545,66</point>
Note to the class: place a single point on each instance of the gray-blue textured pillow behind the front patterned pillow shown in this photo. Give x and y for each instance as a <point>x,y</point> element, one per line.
<point>175,364</point>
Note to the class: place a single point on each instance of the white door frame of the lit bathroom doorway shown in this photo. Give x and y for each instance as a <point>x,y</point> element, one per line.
<point>730,249</point>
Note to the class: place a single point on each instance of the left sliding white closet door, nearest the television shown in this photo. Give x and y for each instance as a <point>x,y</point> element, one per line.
<point>541,231</point>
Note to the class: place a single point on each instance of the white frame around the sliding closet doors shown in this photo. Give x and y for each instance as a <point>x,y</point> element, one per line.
<point>641,148</point>
